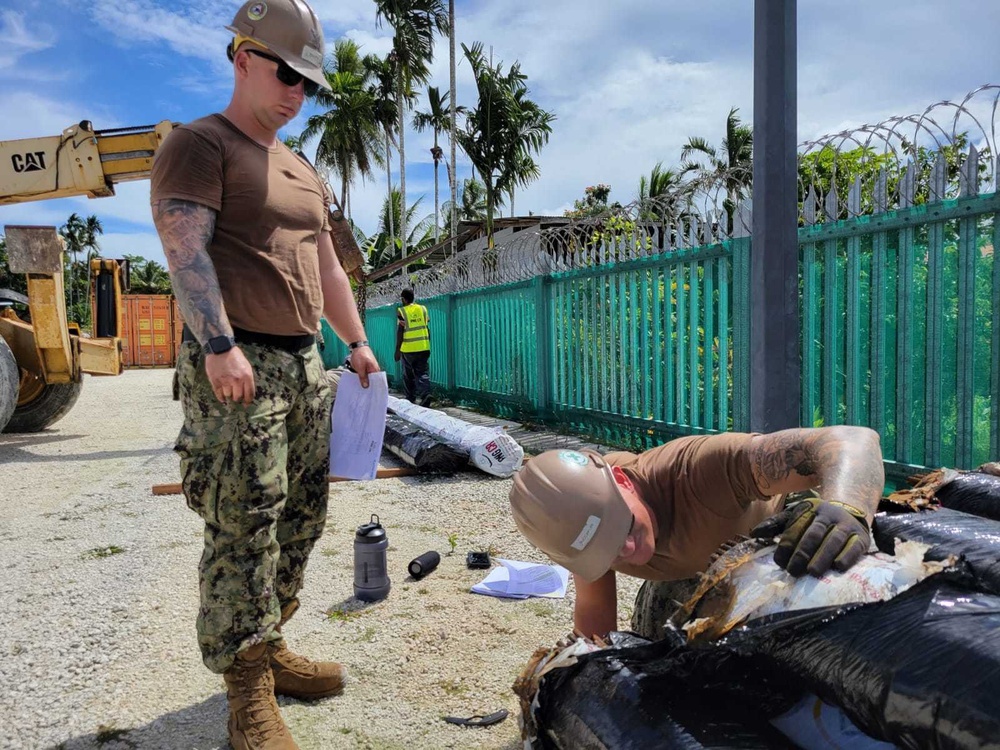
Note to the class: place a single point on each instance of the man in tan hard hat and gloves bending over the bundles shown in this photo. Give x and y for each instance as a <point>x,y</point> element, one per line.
<point>661,515</point>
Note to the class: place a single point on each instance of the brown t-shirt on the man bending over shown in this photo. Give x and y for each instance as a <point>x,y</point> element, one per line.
<point>702,492</point>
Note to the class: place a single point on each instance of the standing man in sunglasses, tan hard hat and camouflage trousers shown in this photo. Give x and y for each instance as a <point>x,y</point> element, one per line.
<point>245,231</point>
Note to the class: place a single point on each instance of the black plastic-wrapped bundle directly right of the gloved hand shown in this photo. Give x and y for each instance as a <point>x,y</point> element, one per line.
<point>949,532</point>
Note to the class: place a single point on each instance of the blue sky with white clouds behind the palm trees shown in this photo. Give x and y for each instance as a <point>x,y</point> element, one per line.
<point>629,80</point>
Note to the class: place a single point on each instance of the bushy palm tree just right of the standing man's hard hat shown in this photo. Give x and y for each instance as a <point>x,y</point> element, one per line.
<point>348,130</point>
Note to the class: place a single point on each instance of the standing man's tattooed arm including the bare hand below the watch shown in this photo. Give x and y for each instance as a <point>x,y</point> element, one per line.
<point>186,230</point>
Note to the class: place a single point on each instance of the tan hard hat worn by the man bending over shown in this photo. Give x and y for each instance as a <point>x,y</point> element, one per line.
<point>568,505</point>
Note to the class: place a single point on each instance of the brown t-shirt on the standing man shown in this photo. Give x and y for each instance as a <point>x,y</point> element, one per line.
<point>271,210</point>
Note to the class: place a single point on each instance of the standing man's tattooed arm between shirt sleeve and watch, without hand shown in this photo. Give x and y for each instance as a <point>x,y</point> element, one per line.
<point>186,230</point>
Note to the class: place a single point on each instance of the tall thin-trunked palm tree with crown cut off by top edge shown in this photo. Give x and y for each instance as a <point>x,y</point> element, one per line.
<point>414,23</point>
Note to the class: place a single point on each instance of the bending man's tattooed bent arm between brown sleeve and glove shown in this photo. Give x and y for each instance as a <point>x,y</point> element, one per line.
<point>842,463</point>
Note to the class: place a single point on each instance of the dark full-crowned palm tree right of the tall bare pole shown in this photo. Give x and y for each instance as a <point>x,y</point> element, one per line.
<point>503,131</point>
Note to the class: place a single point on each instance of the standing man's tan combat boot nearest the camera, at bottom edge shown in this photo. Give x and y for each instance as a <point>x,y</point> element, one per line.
<point>255,721</point>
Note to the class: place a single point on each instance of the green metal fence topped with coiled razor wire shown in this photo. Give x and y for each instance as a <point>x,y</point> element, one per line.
<point>897,310</point>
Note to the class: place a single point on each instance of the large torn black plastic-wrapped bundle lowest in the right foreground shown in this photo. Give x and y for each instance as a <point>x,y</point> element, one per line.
<point>920,671</point>
